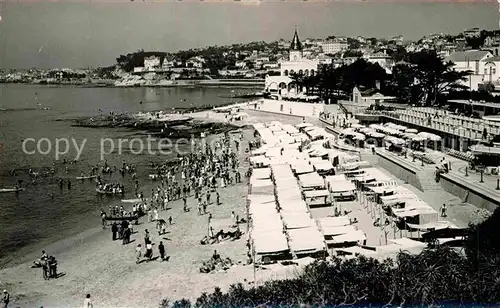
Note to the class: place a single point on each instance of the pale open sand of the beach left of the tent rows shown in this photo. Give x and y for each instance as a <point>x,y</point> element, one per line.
<point>92,263</point>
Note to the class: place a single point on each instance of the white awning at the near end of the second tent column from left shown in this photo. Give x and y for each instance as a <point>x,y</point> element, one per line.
<point>306,240</point>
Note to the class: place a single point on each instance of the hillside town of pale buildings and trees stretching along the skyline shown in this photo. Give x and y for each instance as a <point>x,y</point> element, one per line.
<point>474,51</point>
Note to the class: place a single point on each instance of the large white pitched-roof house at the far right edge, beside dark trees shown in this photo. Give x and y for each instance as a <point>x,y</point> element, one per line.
<point>476,62</point>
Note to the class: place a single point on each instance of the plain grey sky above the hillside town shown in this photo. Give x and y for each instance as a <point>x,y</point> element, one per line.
<point>78,34</point>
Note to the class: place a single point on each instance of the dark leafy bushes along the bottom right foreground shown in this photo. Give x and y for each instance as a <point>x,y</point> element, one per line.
<point>438,276</point>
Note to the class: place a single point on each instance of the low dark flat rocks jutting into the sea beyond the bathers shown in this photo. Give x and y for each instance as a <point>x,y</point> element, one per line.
<point>167,126</point>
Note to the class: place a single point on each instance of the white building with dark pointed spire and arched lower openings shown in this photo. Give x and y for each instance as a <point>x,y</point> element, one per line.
<point>296,63</point>
